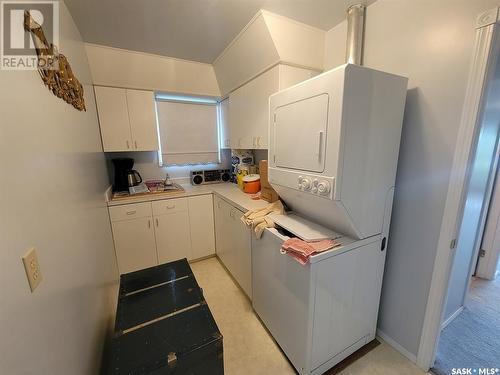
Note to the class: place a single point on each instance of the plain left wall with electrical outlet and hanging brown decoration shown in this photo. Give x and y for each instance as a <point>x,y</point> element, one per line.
<point>52,197</point>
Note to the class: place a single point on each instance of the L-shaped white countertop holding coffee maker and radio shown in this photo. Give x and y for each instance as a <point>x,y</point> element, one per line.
<point>225,190</point>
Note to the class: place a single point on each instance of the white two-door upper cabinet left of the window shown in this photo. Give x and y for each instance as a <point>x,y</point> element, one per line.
<point>127,119</point>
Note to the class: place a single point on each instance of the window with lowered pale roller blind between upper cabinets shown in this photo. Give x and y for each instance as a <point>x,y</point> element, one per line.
<point>188,130</point>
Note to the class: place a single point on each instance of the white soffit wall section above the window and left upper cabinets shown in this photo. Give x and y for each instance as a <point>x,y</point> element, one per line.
<point>130,69</point>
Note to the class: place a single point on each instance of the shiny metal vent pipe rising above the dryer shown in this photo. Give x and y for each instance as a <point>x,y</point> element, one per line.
<point>355,34</point>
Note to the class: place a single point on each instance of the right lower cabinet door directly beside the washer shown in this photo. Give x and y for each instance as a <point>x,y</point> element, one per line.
<point>241,246</point>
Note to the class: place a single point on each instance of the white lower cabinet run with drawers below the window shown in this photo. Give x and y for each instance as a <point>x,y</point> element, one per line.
<point>152,233</point>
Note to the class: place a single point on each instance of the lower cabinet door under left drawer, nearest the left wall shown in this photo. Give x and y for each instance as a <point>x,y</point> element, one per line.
<point>134,244</point>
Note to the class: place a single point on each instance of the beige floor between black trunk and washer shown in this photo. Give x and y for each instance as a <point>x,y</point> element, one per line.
<point>248,347</point>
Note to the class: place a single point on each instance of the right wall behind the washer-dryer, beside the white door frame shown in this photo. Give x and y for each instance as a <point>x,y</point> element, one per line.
<point>430,42</point>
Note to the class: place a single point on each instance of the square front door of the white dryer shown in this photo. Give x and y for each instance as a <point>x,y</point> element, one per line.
<point>304,121</point>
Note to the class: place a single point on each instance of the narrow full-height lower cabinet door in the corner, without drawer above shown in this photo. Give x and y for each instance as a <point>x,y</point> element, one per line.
<point>201,224</point>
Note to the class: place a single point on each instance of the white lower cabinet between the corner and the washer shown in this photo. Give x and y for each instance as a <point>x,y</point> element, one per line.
<point>233,240</point>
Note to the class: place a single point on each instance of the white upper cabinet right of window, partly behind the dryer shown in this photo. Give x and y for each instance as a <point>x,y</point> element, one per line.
<point>249,105</point>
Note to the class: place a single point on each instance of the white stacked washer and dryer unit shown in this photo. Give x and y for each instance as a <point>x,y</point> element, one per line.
<point>334,144</point>
